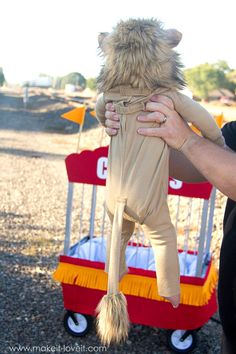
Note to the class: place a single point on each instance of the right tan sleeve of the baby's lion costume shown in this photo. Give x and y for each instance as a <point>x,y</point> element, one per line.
<point>193,112</point>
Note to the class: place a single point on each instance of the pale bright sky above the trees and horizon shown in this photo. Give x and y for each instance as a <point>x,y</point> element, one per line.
<point>57,37</point>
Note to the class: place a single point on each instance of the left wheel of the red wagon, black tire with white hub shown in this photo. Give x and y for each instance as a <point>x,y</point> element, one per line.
<point>80,328</point>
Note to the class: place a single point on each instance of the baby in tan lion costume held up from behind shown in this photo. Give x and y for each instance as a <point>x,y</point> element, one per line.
<point>139,61</point>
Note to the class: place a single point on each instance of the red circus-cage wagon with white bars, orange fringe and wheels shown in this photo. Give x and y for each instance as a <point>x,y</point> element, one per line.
<point>81,267</point>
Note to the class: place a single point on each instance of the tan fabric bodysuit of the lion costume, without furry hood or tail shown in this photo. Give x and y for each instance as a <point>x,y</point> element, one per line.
<point>138,172</point>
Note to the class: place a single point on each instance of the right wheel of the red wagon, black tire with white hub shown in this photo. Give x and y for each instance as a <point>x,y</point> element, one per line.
<point>178,346</point>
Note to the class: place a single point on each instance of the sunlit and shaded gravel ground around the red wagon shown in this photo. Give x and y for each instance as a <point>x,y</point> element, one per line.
<point>33,188</point>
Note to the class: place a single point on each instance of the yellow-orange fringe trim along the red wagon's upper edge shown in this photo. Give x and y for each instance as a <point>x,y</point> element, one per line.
<point>136,285</point>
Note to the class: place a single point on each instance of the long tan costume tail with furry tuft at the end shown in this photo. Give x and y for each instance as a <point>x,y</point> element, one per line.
<point>113,319</point>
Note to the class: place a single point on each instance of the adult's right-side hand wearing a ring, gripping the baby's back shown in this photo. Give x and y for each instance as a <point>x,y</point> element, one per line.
<point>171,127</point>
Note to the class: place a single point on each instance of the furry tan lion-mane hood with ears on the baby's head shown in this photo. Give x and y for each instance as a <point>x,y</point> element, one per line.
<point>139,52</point>
